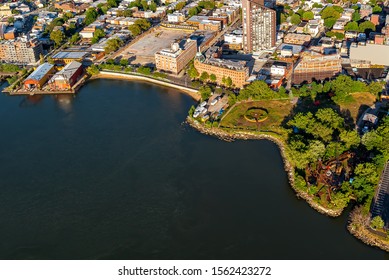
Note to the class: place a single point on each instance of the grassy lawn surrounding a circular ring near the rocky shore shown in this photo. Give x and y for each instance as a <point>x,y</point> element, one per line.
<point>277,111</point>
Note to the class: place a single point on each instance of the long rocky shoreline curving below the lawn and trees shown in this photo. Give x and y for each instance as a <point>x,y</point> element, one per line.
<point>226,136</point>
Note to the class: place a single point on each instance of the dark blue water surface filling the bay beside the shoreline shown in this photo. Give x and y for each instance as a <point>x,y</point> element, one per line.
<point>114,174</point>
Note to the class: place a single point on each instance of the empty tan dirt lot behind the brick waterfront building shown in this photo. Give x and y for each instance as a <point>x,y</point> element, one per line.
<point>142,51</point>
